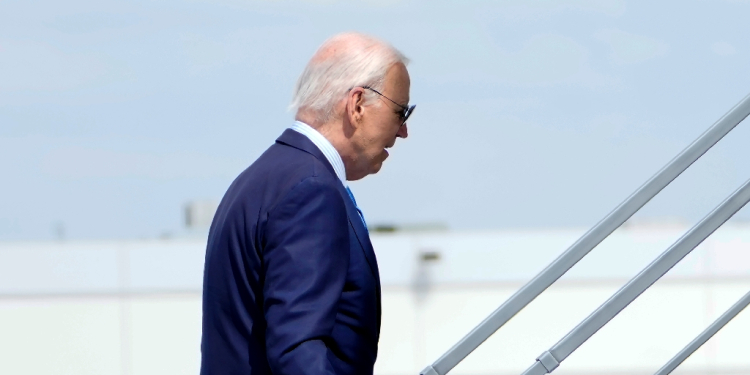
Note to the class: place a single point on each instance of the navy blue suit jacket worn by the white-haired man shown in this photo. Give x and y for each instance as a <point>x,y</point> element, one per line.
<point>291,282</point>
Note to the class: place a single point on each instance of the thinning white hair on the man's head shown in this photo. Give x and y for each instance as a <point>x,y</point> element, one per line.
<point>341,63</point>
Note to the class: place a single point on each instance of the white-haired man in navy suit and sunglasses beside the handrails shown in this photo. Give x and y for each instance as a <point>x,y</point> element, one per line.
<point>291,283</point>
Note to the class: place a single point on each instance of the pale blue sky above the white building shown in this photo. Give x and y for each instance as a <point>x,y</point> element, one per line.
<point>529,113</point>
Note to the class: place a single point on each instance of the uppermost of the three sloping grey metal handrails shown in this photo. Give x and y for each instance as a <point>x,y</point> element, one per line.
<point>589,240</point>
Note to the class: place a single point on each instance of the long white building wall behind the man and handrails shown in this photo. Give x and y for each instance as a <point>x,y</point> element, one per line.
<point>134,307</point>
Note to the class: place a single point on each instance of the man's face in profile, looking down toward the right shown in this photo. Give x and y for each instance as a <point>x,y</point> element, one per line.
<point>381,123</point>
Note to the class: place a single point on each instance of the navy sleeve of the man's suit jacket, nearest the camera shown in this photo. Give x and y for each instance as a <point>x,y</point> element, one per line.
<point>306,259</point>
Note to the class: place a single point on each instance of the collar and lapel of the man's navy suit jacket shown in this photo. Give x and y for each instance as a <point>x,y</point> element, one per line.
<point>299,141</point>
